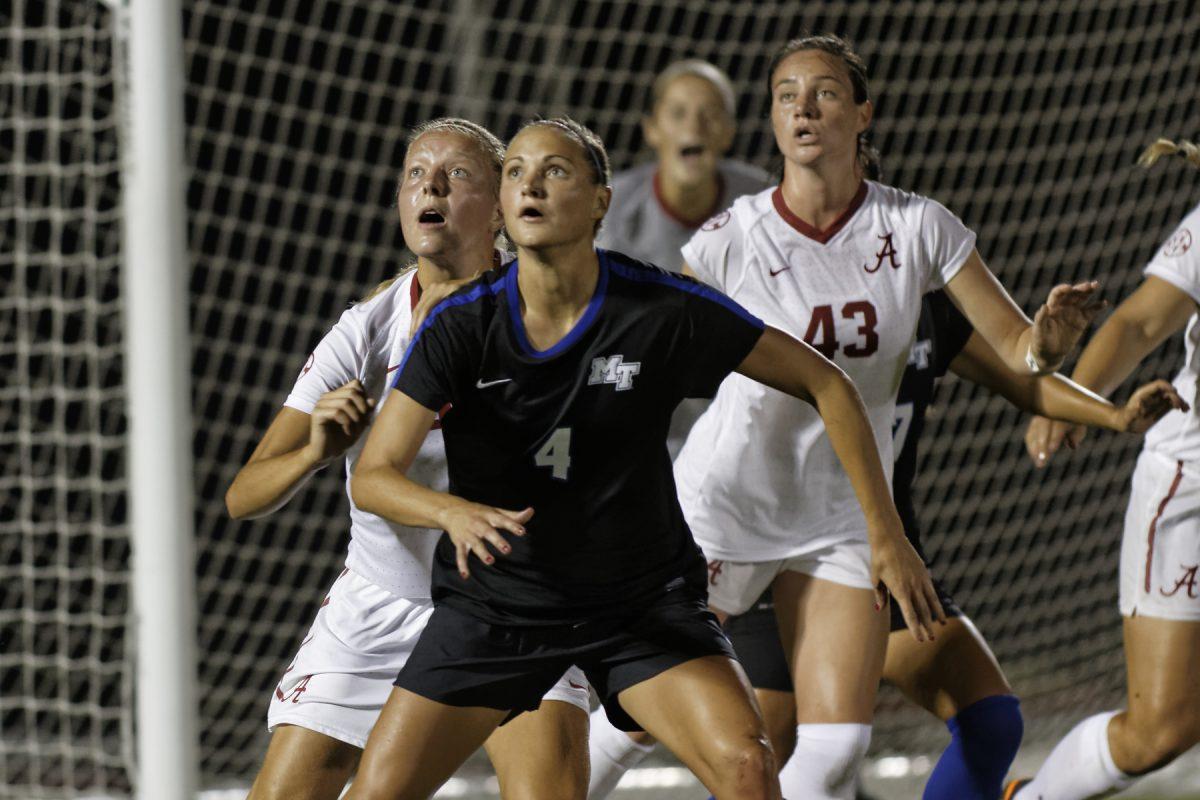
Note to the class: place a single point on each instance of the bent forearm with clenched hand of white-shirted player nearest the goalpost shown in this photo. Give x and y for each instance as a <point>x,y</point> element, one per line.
<point>296,446</point>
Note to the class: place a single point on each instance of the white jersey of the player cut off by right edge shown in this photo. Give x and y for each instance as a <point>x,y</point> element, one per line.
<point>1178,435</point>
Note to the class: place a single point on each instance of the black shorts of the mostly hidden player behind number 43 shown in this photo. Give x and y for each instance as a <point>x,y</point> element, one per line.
<point>755,637</point>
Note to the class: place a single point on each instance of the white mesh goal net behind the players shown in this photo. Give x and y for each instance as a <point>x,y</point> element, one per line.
<point>1025,119</point>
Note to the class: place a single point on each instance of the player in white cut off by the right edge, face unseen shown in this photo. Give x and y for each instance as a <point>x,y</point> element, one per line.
<point>1160,594</point>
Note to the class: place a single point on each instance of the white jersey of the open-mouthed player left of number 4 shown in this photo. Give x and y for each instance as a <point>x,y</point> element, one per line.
<point>368,344</point>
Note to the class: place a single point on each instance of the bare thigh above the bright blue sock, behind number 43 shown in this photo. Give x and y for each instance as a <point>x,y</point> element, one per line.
<point>946,676</point>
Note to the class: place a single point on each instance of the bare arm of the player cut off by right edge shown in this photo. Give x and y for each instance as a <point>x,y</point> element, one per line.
<point>1141,324</point>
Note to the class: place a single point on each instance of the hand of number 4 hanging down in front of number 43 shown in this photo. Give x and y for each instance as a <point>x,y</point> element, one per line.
<point>897,569</point>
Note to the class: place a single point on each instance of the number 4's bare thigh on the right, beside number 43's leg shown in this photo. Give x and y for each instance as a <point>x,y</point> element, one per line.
<point>701,711</point>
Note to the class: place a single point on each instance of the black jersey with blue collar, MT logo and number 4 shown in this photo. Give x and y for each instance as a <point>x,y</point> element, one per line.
<point>578,432</point>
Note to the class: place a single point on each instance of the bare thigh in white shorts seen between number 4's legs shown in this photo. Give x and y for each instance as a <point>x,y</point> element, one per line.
<point>543,754</point>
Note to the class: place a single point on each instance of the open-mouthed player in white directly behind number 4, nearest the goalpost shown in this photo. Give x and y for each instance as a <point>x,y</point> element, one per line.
<point>331,696</point>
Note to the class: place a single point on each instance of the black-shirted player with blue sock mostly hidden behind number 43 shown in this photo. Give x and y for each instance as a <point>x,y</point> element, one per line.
<point>956,677</point>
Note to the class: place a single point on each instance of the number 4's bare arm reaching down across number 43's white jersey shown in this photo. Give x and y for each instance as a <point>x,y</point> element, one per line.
<point>791,366</point>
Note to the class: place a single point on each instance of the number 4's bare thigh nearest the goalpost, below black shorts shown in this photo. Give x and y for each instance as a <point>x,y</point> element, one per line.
<point>418,744</point>
